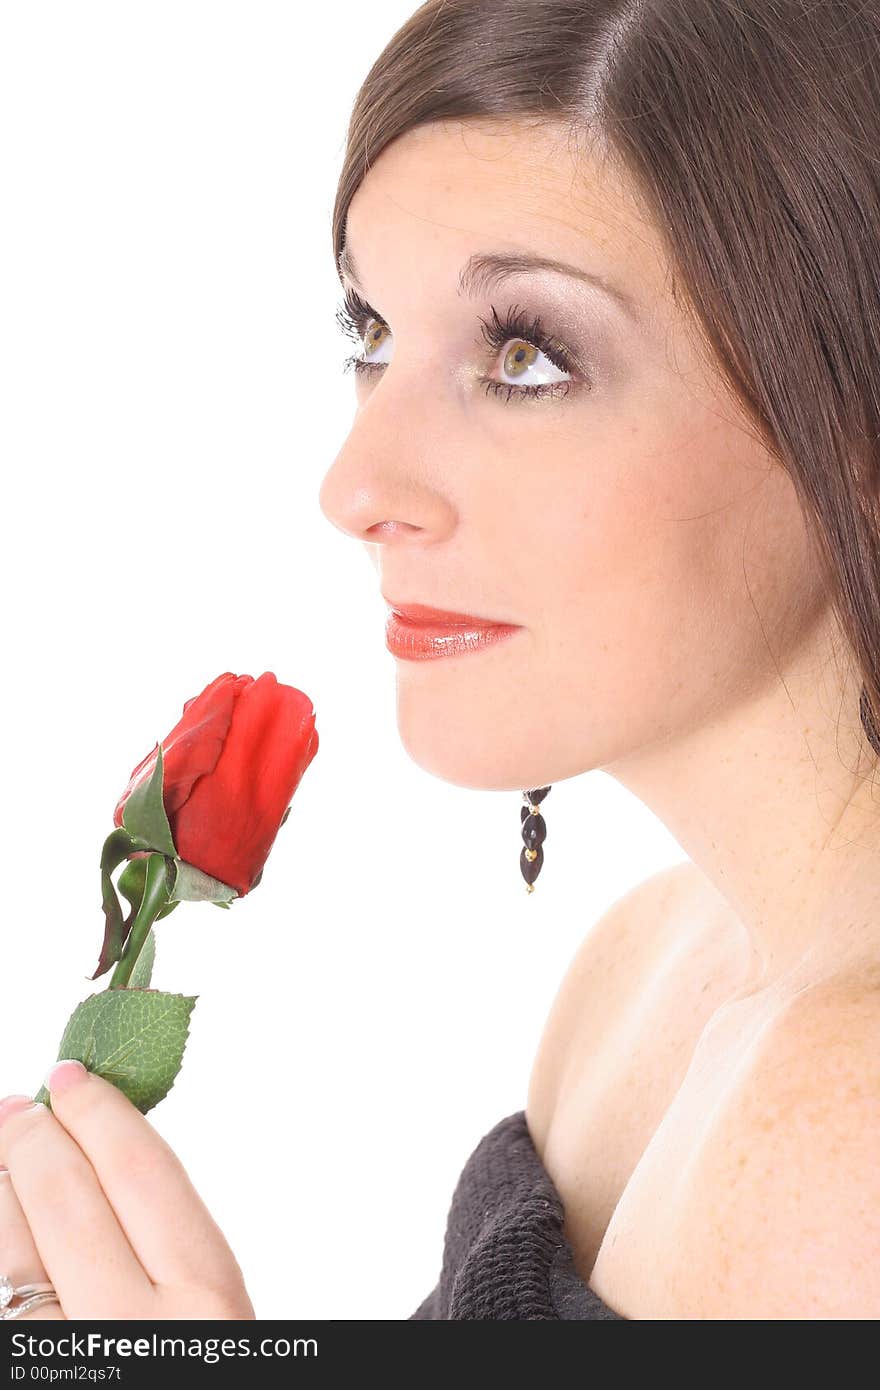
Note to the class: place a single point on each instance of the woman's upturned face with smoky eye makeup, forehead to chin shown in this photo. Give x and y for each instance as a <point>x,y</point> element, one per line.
<point>650,550</point>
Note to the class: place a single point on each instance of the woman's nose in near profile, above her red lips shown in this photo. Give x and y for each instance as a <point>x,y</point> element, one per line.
<point>384,486</point>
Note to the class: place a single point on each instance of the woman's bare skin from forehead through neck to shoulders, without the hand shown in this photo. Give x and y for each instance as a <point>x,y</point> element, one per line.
<point>678,636</point>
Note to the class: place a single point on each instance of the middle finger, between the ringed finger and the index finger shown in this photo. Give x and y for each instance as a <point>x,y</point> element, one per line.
<point>83,1246</point>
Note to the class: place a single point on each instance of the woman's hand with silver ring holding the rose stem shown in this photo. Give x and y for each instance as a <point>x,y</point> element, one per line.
<point>98,1204</point>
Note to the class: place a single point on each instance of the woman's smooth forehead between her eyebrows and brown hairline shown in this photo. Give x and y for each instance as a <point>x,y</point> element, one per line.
<point>451,188</point>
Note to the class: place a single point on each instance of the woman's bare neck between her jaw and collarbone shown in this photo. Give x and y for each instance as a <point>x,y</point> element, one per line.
<point>774,800</point>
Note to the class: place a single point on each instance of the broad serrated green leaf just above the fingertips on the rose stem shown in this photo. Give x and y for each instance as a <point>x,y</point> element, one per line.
<point>134,1039</point>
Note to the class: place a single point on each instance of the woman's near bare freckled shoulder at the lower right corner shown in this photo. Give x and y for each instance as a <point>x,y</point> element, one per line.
<point>788,1181</point>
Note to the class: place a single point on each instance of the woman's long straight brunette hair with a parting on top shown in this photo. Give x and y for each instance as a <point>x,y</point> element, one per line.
<point>751,133</point>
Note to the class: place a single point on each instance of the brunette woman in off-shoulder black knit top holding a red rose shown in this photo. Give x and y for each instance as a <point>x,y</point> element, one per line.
<point>614,272</point>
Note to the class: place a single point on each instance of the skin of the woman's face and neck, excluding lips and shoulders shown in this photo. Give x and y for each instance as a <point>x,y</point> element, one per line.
<point>676,632</point>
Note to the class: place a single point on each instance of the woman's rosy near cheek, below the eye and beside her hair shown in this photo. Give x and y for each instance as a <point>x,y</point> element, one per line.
<point>674,568</point>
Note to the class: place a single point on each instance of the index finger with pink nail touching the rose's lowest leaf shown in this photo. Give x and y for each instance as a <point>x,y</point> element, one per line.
<point>170,1229</point>
